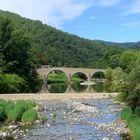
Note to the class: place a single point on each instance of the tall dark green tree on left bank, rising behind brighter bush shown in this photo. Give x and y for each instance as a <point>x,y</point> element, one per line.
<point>17,57</point>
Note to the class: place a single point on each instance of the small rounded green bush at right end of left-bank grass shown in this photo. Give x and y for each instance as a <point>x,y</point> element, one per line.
<point>29,117</point>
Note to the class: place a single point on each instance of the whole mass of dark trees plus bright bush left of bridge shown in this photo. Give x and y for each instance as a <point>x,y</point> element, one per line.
<point>17,63</point>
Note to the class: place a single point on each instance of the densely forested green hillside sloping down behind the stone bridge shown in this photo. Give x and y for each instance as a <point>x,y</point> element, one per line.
<point>57,48</point>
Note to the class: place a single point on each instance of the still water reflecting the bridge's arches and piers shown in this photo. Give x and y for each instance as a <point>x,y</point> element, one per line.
<point>74,88</point>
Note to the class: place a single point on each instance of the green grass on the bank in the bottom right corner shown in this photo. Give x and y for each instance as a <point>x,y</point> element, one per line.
<point>133,121</point>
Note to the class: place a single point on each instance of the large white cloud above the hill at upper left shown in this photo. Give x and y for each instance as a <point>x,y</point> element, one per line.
<point>53,12</point>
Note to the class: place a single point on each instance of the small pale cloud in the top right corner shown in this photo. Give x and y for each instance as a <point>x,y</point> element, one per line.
<point>134,8</point>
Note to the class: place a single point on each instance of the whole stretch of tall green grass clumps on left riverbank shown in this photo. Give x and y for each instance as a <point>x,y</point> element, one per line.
<point>14,111</point>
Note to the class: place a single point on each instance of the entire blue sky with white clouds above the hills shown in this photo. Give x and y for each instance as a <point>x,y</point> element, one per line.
<point>109,20</point>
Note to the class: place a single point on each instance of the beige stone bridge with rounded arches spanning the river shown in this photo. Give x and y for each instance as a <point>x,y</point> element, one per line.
<point>43,72</point>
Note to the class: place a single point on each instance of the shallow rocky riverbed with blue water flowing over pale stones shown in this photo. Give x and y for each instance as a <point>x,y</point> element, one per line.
<point>82,119</point>
